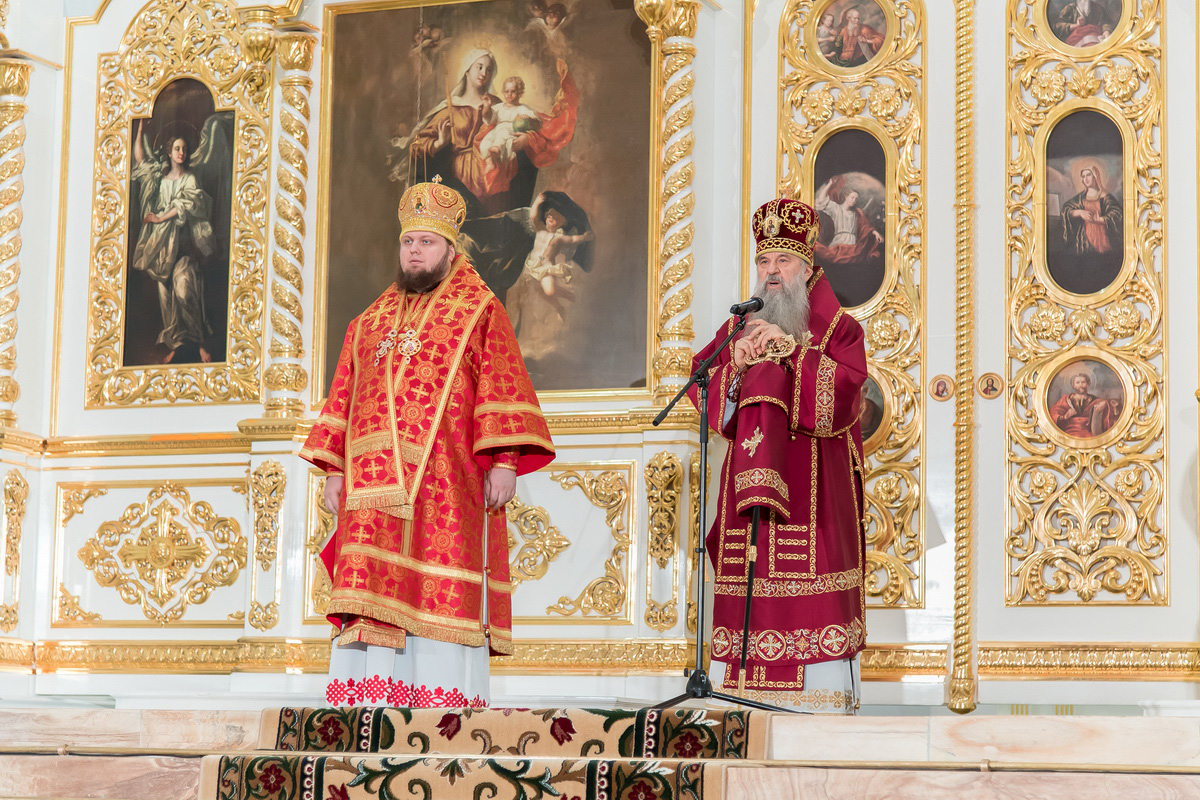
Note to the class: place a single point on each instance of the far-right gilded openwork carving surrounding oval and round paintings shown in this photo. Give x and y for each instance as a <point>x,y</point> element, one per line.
<point>1087,521</point>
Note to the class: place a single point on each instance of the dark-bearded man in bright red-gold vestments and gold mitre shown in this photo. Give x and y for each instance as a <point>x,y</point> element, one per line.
<point>430,419</point>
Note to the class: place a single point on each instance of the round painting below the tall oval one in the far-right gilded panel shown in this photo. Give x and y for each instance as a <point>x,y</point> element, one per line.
<point>1085,399</point>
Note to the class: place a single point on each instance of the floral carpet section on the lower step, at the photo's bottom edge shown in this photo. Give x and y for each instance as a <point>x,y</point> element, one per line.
<point>373,778</point>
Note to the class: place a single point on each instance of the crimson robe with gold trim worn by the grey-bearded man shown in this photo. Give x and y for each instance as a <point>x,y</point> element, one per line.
<point>795,452</point>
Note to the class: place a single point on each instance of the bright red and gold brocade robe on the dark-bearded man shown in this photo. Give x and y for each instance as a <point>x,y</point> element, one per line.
<point>415,437</point>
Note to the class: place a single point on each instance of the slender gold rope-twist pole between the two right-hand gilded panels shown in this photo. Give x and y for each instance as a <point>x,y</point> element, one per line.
<point>963,684</point>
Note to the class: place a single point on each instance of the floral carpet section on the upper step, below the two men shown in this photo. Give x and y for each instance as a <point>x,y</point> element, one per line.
<point>559,733</point>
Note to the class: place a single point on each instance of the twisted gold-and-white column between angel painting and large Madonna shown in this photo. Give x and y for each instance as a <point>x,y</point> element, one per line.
<point>286,377</point>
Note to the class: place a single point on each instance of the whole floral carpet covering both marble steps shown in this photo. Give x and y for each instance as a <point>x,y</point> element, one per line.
<point>388,754</point>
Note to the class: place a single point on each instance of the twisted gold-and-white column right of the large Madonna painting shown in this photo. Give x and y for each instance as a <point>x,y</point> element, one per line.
<point>674,31</point>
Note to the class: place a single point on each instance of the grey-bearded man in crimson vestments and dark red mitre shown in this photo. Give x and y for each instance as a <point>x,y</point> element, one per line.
<point>787,394</point>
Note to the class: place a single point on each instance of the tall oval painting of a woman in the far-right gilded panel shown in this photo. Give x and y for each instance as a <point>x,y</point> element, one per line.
<point>1085,206</point>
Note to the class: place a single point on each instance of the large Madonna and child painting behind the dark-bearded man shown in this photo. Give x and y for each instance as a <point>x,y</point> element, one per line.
<point>538,113</point>
